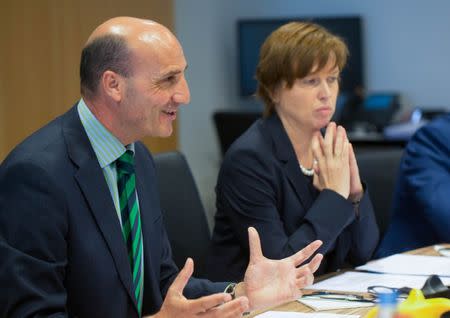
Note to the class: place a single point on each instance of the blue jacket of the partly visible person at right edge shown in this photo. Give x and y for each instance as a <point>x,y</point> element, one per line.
<point>421,208</point>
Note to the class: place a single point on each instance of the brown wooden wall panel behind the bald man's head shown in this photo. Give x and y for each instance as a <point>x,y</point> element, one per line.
<point>40,46</point>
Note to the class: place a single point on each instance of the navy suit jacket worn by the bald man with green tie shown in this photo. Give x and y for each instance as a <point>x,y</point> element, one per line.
<point>61,247</point>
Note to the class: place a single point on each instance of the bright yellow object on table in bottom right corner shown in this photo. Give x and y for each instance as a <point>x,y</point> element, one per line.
<point>416,306</point>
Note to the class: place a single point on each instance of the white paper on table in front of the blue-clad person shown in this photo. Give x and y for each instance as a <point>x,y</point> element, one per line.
<point>407,264</point>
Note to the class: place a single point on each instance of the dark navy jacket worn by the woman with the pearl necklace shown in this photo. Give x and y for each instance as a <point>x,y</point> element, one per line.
<point>260,184</point>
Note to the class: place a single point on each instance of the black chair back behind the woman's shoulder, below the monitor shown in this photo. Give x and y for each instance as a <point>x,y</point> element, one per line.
<point>231,124</point>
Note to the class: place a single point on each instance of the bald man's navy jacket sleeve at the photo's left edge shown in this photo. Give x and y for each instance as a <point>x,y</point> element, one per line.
<point>33,251</point>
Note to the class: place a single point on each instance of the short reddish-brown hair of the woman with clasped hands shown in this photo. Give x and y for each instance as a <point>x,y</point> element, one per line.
<point>291,52</point>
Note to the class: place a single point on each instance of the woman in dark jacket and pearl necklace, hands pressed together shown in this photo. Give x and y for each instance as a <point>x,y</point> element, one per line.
<point>282,176</point>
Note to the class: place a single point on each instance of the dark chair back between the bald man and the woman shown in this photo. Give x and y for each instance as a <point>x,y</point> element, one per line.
<point>183,212</point>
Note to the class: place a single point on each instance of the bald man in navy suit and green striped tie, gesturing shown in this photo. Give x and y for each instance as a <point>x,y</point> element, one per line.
<point>81,231</point>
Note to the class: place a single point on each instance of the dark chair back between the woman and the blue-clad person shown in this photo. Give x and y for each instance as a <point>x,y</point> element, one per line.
<point>379,170</point>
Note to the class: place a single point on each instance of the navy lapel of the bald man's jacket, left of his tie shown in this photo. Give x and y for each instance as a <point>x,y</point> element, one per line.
<point>93,185</point>
